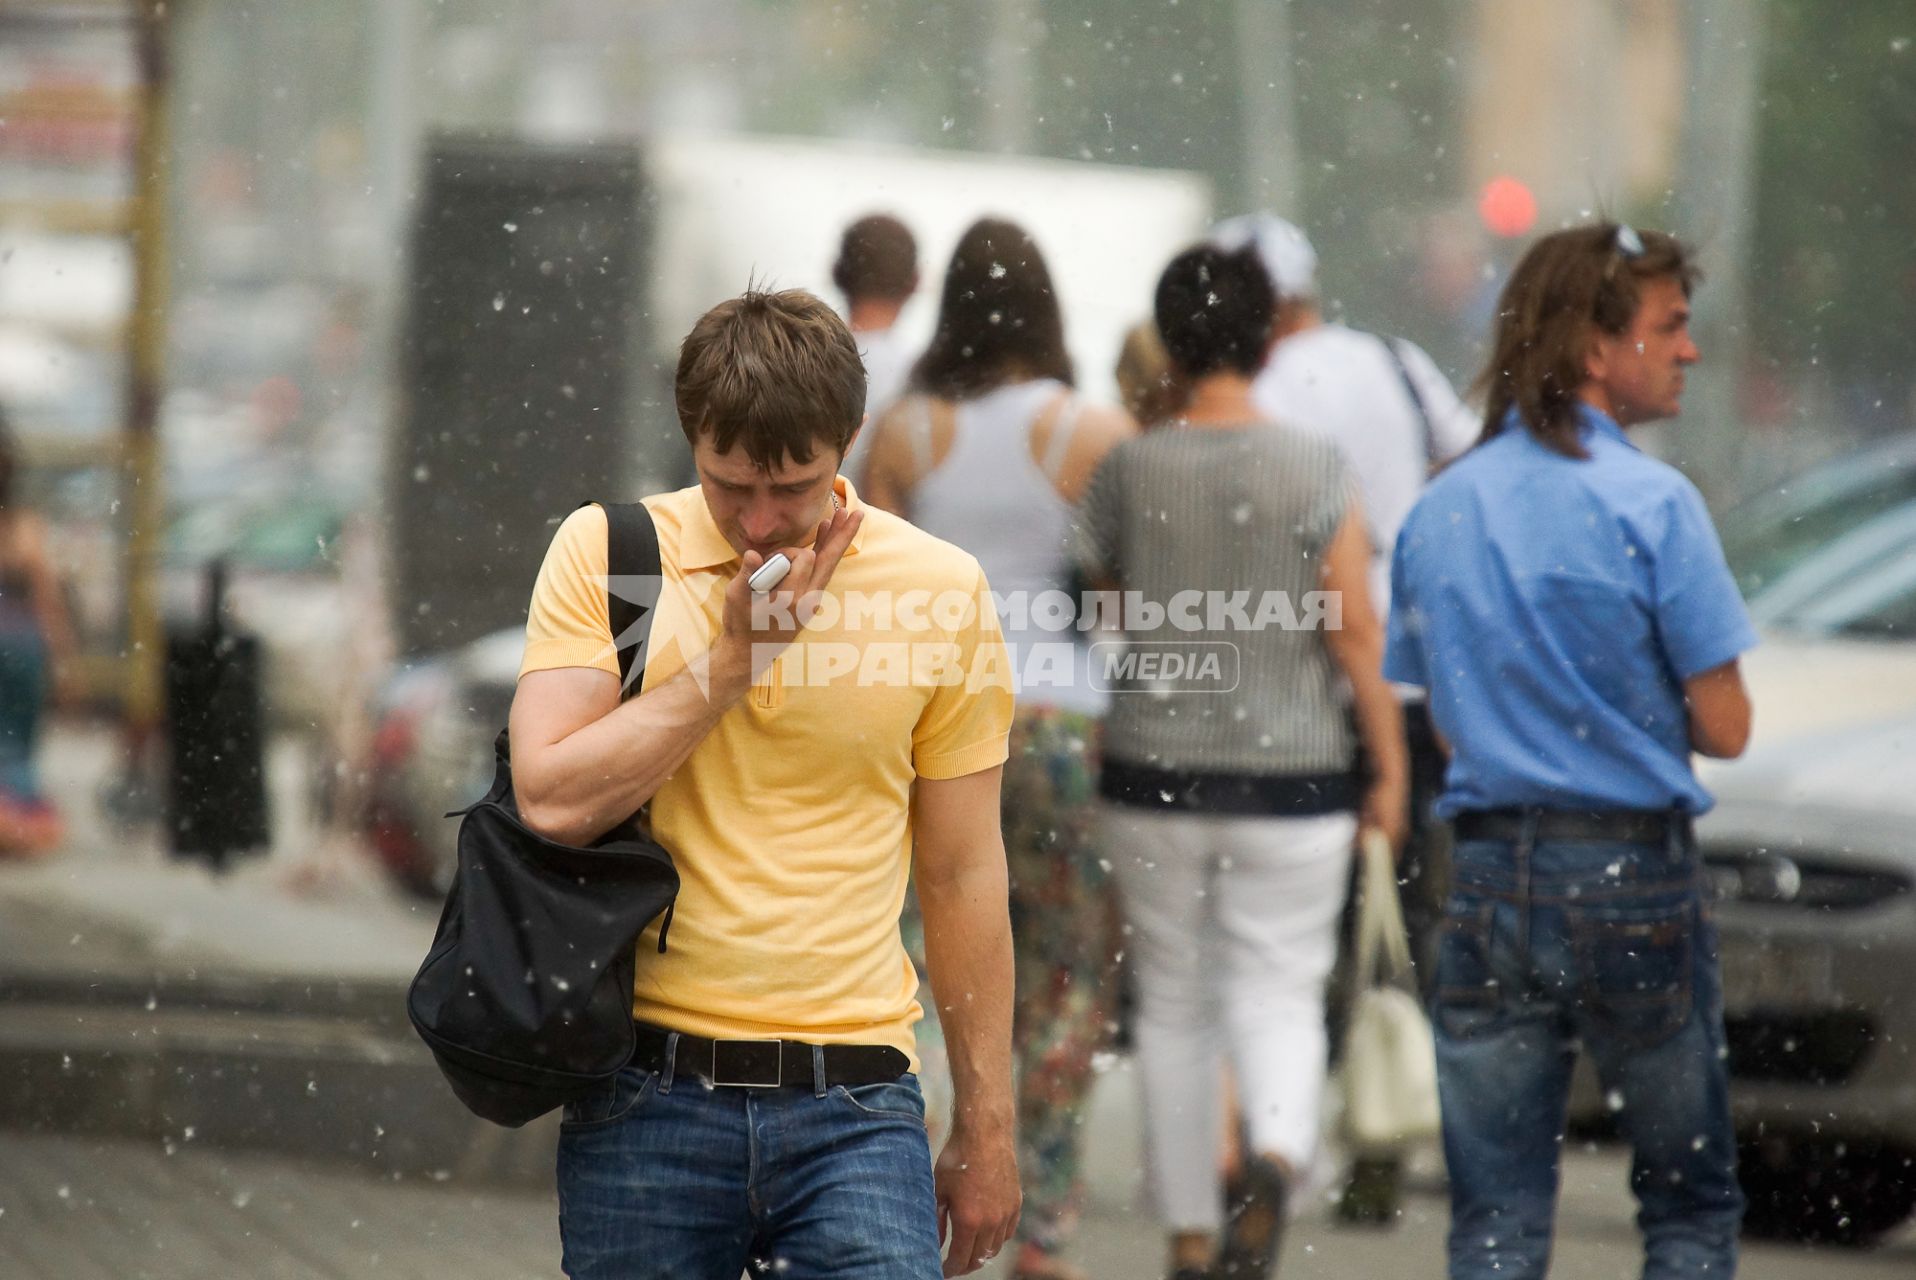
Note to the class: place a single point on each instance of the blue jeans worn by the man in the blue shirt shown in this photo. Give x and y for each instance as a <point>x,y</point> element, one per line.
<point>1553,944</point>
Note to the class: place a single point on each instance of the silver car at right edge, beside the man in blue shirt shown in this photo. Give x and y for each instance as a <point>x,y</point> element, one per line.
<point>1812,856</point>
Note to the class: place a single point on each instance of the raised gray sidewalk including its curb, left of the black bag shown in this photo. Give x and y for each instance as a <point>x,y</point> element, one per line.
<point>262,1009</point>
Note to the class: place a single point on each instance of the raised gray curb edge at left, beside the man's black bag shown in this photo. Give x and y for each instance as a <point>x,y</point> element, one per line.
<point>106,1038</point>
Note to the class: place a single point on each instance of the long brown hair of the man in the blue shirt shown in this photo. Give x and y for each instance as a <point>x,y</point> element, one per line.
<point>1568,288</point>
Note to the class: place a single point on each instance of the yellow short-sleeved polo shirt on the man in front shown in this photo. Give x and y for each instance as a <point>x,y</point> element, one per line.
<point>792,823</point>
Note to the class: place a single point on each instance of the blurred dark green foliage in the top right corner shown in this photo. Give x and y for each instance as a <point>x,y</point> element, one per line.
<point>1835,258</point>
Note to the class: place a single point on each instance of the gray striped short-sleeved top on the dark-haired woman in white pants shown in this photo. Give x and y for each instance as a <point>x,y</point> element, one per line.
<point>1243,516</point>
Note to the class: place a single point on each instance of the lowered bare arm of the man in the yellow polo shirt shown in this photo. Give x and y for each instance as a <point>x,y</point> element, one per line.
<point>963,892</point>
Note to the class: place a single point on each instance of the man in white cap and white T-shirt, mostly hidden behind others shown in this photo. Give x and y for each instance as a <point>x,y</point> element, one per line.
<point>1396,419</point>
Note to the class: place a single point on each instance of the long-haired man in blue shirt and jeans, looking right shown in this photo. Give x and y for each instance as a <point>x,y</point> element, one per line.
<point>1564,601</point>
